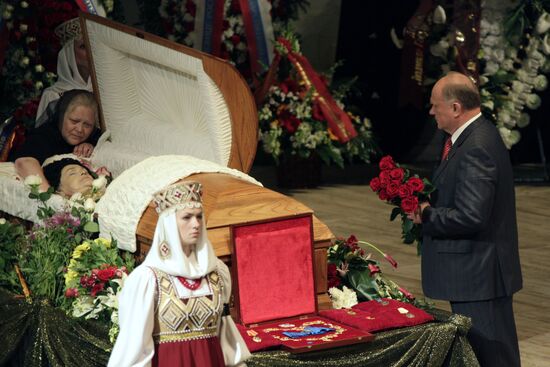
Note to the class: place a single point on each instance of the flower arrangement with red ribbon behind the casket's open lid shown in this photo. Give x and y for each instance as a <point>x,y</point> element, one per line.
<point>293,120</point>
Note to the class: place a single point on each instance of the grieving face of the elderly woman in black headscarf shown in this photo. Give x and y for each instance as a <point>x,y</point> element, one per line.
<point>78,124</point>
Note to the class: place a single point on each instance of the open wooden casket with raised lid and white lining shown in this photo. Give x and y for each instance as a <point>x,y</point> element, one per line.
<point>160,98</point>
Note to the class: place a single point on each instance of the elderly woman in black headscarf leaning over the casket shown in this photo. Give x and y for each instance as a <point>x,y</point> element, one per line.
<point>72,129</point>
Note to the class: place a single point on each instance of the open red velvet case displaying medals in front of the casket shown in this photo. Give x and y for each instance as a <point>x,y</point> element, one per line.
<point>274,290</point>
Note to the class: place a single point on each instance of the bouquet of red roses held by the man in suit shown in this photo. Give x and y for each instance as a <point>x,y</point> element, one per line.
<point>398,187</point>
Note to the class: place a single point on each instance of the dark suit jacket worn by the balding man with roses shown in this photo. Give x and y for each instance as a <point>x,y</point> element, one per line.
<point>470,245</point>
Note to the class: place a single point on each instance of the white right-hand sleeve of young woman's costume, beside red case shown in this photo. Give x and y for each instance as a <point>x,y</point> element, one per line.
<point>234,349</point>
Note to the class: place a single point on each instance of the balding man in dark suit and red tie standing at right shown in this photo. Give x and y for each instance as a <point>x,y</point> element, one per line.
<point>470,249</point>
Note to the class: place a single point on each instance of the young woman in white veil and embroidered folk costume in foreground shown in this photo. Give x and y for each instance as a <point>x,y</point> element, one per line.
<point>171,309</point>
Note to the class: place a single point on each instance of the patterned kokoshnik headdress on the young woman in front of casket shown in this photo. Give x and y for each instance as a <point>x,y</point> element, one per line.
<point>179,196</point>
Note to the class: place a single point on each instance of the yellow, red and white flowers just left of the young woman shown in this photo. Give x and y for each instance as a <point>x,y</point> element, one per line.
<point>94,278</point>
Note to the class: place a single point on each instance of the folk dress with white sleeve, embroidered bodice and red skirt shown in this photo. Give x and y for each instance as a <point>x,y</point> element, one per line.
<point>183,324</point>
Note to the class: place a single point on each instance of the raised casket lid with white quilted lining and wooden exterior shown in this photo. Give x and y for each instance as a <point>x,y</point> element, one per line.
<point>158,97</point>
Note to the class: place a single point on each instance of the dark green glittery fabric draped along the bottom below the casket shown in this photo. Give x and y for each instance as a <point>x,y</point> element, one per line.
<point>38,335</point>
